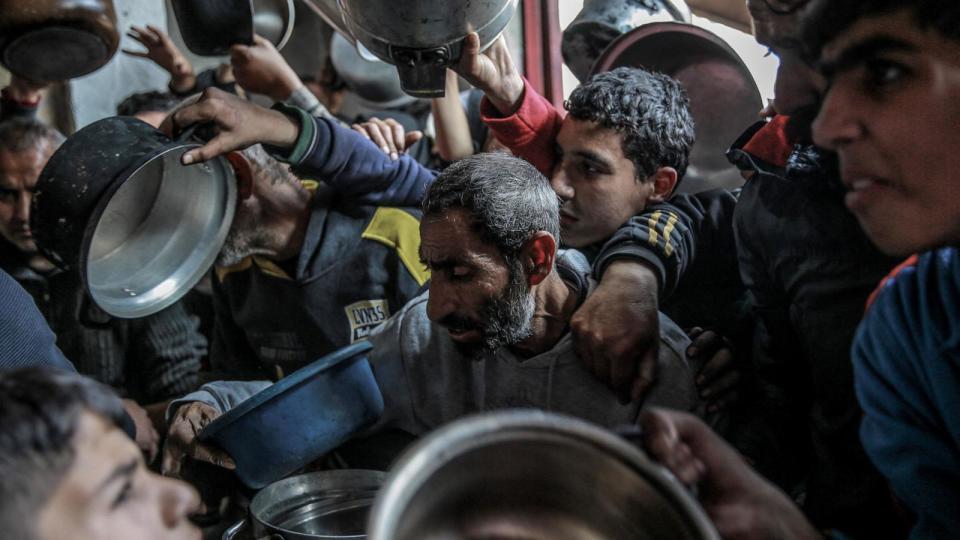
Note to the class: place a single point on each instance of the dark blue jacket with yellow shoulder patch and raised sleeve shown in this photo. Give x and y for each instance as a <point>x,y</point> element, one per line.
<point>358,265</point>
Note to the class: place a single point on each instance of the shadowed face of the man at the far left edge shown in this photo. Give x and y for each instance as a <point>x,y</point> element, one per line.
<point>19,172</point>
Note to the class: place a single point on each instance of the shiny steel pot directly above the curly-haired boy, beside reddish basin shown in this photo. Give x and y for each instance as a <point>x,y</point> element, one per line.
<point>602,21</point>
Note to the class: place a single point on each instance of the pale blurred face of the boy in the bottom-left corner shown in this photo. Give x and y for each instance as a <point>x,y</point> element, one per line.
<point>109,493</point>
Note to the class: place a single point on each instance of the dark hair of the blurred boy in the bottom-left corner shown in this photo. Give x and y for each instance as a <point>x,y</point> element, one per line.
<point>39,413</point>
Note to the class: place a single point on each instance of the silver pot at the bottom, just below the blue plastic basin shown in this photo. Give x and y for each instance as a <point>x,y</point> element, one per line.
<point>331,505</point>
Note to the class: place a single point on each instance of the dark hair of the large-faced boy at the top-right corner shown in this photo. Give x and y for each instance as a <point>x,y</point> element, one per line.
<point>830,18</point>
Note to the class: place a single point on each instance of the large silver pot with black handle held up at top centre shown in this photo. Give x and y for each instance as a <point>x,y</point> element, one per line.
<point>423,37</point>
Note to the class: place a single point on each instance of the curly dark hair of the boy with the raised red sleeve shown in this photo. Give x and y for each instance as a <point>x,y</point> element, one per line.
<point>651,111</point>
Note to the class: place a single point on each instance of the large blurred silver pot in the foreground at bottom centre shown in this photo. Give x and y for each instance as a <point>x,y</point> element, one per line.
<point>532,475</point>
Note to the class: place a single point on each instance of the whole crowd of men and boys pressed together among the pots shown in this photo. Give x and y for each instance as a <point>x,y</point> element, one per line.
<point>788,348</point>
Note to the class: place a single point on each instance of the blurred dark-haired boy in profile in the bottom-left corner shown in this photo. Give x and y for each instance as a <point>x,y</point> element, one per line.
<point>69,472</point>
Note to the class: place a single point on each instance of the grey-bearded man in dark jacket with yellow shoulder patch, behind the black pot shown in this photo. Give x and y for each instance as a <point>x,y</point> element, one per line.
<point>305,270</point>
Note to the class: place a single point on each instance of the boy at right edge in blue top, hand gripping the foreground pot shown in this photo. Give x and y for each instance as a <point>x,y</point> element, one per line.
<point>890,112</point>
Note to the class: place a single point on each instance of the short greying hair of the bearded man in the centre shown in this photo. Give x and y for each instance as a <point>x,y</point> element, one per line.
<point>508,198</point>
